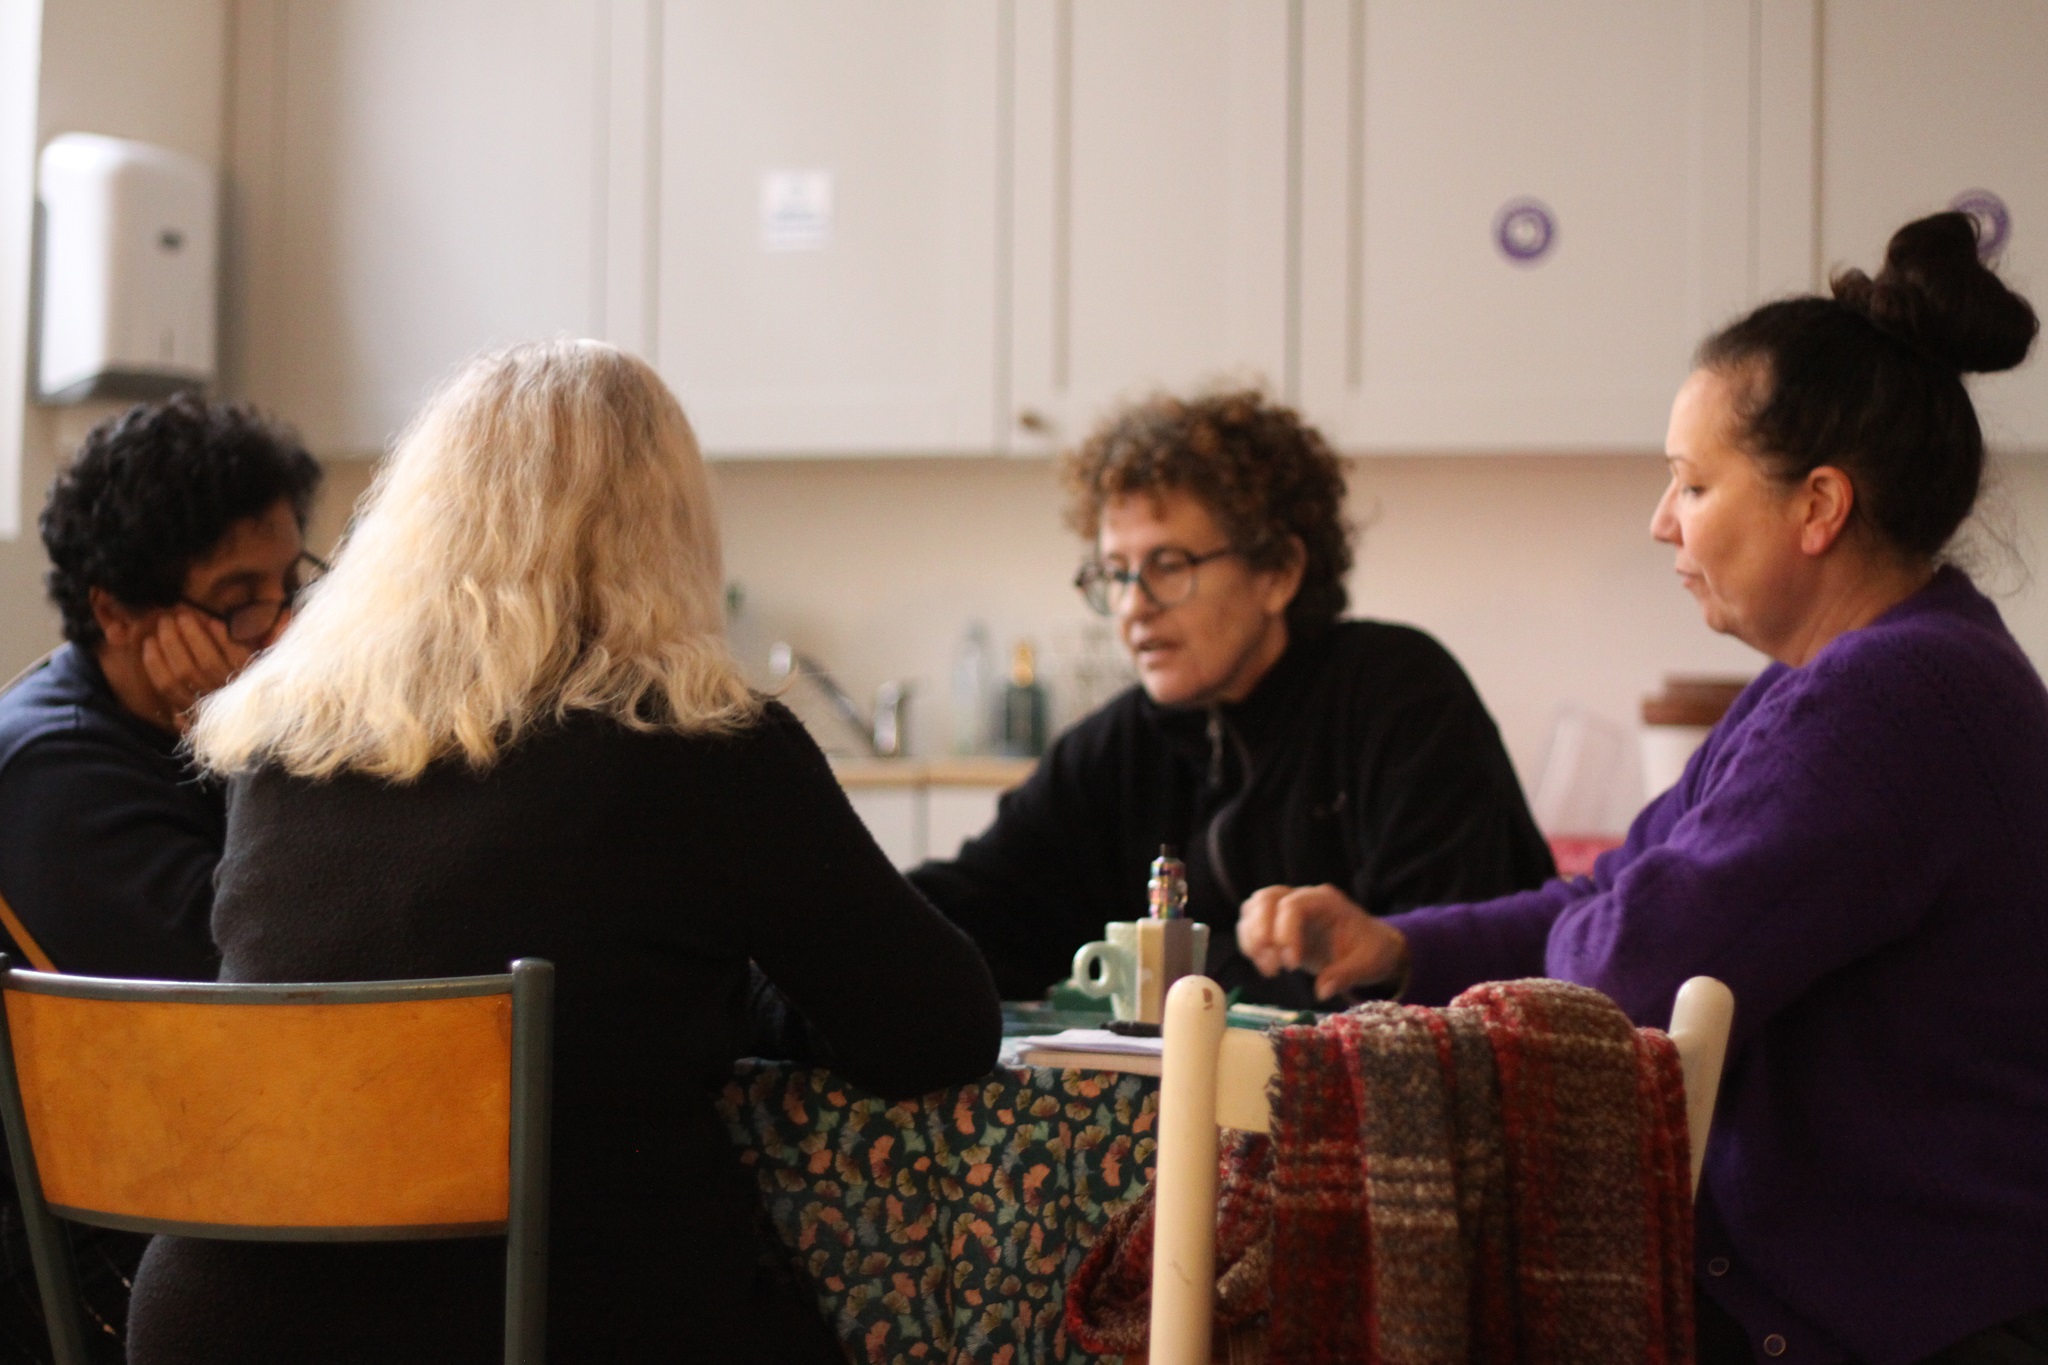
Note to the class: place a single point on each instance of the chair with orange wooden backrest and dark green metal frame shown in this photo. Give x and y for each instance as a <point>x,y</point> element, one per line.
<point>351,1112</point>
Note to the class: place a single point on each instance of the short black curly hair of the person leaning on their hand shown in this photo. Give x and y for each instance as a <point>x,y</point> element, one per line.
<point>153,492</point>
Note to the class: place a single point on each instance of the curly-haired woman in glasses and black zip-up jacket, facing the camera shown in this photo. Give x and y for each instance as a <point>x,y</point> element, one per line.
<point>1279,748</point>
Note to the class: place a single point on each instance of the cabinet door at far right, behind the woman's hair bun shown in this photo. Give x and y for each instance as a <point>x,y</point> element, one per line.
<point>1936,105</point>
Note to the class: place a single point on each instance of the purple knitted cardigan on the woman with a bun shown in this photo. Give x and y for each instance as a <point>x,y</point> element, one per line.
<point>1861,850</point>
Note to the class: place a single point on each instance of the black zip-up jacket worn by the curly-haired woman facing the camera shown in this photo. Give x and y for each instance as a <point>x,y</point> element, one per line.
<point>1365,760</point>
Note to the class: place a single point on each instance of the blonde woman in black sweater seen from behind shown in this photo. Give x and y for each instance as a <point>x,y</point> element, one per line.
<point>507,725</point>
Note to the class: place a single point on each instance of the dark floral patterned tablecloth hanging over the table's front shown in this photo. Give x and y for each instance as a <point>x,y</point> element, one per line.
<point>945,1229</point>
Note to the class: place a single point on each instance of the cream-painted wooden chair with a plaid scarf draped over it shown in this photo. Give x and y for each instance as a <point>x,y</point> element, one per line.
<point>1218,1077</point>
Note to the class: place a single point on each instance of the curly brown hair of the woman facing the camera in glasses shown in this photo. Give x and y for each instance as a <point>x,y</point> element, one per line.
<point>1267,476</point>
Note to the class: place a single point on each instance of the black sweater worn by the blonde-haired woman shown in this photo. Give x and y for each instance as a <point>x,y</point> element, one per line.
<point>650,871</point>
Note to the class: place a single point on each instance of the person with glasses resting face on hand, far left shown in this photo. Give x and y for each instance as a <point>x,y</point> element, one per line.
<point>175,543</point>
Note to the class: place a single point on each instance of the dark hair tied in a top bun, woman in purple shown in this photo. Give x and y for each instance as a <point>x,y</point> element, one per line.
<point>1871,380</point>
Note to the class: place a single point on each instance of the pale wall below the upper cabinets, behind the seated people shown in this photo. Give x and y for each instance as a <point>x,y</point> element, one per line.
<point>1537,572</point>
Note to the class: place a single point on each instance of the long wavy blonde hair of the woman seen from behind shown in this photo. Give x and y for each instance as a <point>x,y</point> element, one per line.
<point>540,543</point>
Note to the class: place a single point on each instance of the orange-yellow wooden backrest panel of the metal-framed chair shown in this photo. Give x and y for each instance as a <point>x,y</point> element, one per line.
<point>253,1120</point>
